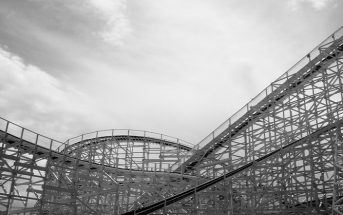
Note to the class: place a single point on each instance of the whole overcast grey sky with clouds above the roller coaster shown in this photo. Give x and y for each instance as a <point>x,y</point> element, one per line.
<point>178,67</point>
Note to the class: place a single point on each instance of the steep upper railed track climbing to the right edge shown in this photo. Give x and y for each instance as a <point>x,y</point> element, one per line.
<point>260,108</point>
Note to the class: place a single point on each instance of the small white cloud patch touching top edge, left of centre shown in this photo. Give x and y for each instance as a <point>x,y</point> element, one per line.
<point>115,15</point>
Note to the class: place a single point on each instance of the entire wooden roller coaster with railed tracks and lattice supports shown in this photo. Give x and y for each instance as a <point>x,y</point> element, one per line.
<point>281,153</point>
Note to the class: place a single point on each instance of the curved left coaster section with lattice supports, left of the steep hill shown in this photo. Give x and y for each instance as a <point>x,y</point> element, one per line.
<point>87,175</point>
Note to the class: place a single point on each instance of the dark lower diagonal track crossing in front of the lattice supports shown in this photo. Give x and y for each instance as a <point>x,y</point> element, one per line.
<point>201,187</point>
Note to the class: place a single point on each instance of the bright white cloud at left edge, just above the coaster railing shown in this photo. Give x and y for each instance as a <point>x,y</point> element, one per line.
<point>35,99</point>
